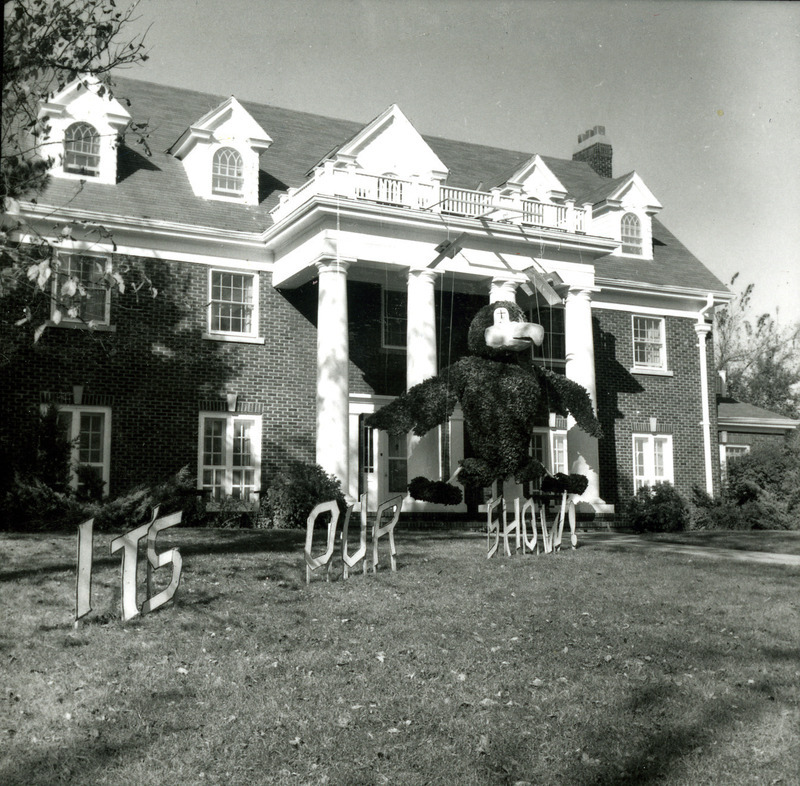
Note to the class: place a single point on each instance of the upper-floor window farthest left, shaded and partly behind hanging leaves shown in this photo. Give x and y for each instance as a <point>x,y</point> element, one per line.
<point>79,292</point>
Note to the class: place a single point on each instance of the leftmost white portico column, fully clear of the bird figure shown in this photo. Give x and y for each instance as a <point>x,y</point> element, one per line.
<point>333,389</point>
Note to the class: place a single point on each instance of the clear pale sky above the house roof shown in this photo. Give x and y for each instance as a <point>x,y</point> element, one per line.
<point>700,97</point>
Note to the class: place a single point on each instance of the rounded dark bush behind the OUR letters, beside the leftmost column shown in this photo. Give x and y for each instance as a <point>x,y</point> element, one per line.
<point>295,491</point>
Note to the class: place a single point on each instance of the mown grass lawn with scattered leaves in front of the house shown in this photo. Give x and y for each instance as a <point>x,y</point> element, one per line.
<point>586,667</point>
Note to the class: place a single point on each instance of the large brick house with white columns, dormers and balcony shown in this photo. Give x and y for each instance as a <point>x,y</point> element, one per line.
<point>309,269</point>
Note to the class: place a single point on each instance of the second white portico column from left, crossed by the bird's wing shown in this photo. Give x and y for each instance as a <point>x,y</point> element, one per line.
<point>423,452</point>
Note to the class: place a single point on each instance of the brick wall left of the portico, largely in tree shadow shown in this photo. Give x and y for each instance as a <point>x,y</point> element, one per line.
<point>157,369</point>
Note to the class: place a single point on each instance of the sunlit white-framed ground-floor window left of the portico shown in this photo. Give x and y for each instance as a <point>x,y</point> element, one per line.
<point>230,456</point>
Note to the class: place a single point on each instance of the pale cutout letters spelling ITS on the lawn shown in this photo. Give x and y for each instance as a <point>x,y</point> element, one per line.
<point>129,545</point>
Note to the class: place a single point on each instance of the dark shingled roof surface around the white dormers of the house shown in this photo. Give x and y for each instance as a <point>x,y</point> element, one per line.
<point>157,187</point>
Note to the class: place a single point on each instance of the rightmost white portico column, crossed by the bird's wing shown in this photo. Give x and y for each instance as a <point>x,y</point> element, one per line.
<point>582,448</point>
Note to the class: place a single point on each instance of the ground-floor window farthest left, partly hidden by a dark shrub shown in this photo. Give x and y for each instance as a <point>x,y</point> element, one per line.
<point>89,431</point>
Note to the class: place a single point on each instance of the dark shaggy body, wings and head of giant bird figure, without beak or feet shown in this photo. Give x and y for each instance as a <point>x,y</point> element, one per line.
<point>502,396</point>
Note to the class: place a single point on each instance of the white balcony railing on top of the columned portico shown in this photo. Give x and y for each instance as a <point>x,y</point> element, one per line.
<point>399,192</point>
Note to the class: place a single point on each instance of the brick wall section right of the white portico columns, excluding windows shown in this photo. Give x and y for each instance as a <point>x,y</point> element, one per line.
<point>624,398</point>
